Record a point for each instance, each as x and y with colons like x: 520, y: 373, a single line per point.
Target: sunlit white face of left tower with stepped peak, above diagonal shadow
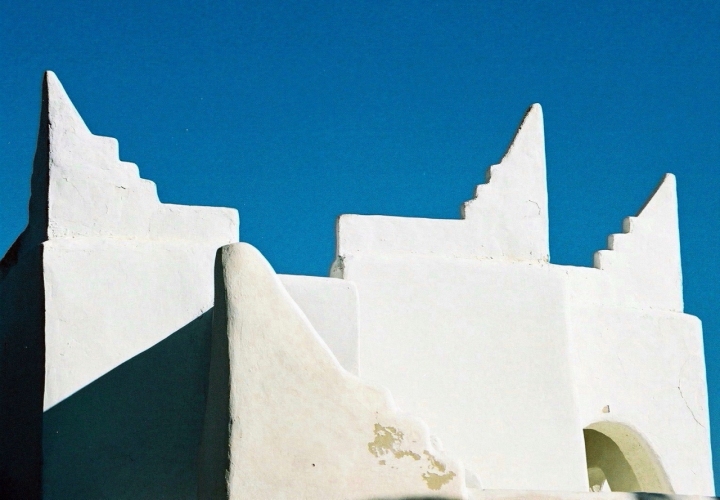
x: 122, y: 271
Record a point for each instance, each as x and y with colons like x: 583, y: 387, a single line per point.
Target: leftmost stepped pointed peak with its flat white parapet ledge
x: 80, y: 187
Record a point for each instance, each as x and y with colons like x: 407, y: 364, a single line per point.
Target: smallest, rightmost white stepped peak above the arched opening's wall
x: 646, y: 256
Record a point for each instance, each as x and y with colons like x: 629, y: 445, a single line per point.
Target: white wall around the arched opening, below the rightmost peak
x: 647, y: 367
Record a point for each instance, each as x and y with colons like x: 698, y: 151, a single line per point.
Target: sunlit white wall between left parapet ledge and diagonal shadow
x: 109, y: 300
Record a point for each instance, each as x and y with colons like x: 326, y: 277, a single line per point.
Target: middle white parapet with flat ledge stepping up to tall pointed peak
x: 508, y: 218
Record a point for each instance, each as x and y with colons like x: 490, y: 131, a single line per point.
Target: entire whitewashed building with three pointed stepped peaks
x: 145, y: 353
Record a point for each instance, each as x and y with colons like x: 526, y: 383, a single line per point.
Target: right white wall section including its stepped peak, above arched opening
x: 634, y: 352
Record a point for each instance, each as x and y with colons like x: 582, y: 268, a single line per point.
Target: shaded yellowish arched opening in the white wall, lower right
x: 619, y: 459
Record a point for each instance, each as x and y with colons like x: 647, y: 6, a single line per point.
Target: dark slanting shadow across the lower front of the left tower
x: 135, y: 432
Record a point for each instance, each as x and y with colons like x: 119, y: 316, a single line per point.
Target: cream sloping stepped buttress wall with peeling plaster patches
x: 298, y: 425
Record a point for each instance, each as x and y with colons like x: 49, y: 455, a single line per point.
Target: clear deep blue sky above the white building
x: 295, y: 112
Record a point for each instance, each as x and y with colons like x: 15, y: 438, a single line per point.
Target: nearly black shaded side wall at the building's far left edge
x: 22, y: 376
